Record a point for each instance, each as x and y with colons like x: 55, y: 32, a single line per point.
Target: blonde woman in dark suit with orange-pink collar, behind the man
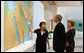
x: 70, y: 43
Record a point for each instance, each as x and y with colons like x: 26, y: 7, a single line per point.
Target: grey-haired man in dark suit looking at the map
x: 59, y: 37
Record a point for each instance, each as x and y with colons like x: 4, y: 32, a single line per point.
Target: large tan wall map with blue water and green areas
x: 16, y: 14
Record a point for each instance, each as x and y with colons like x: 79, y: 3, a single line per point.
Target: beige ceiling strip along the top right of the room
x: 63, y: 3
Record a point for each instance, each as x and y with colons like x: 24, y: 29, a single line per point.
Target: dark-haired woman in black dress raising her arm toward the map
x: 42, y: 37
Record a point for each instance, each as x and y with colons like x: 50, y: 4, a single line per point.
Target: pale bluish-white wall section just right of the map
x: 38, y: 16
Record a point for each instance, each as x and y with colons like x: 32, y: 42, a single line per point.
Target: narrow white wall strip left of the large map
x: 2, y: 25
